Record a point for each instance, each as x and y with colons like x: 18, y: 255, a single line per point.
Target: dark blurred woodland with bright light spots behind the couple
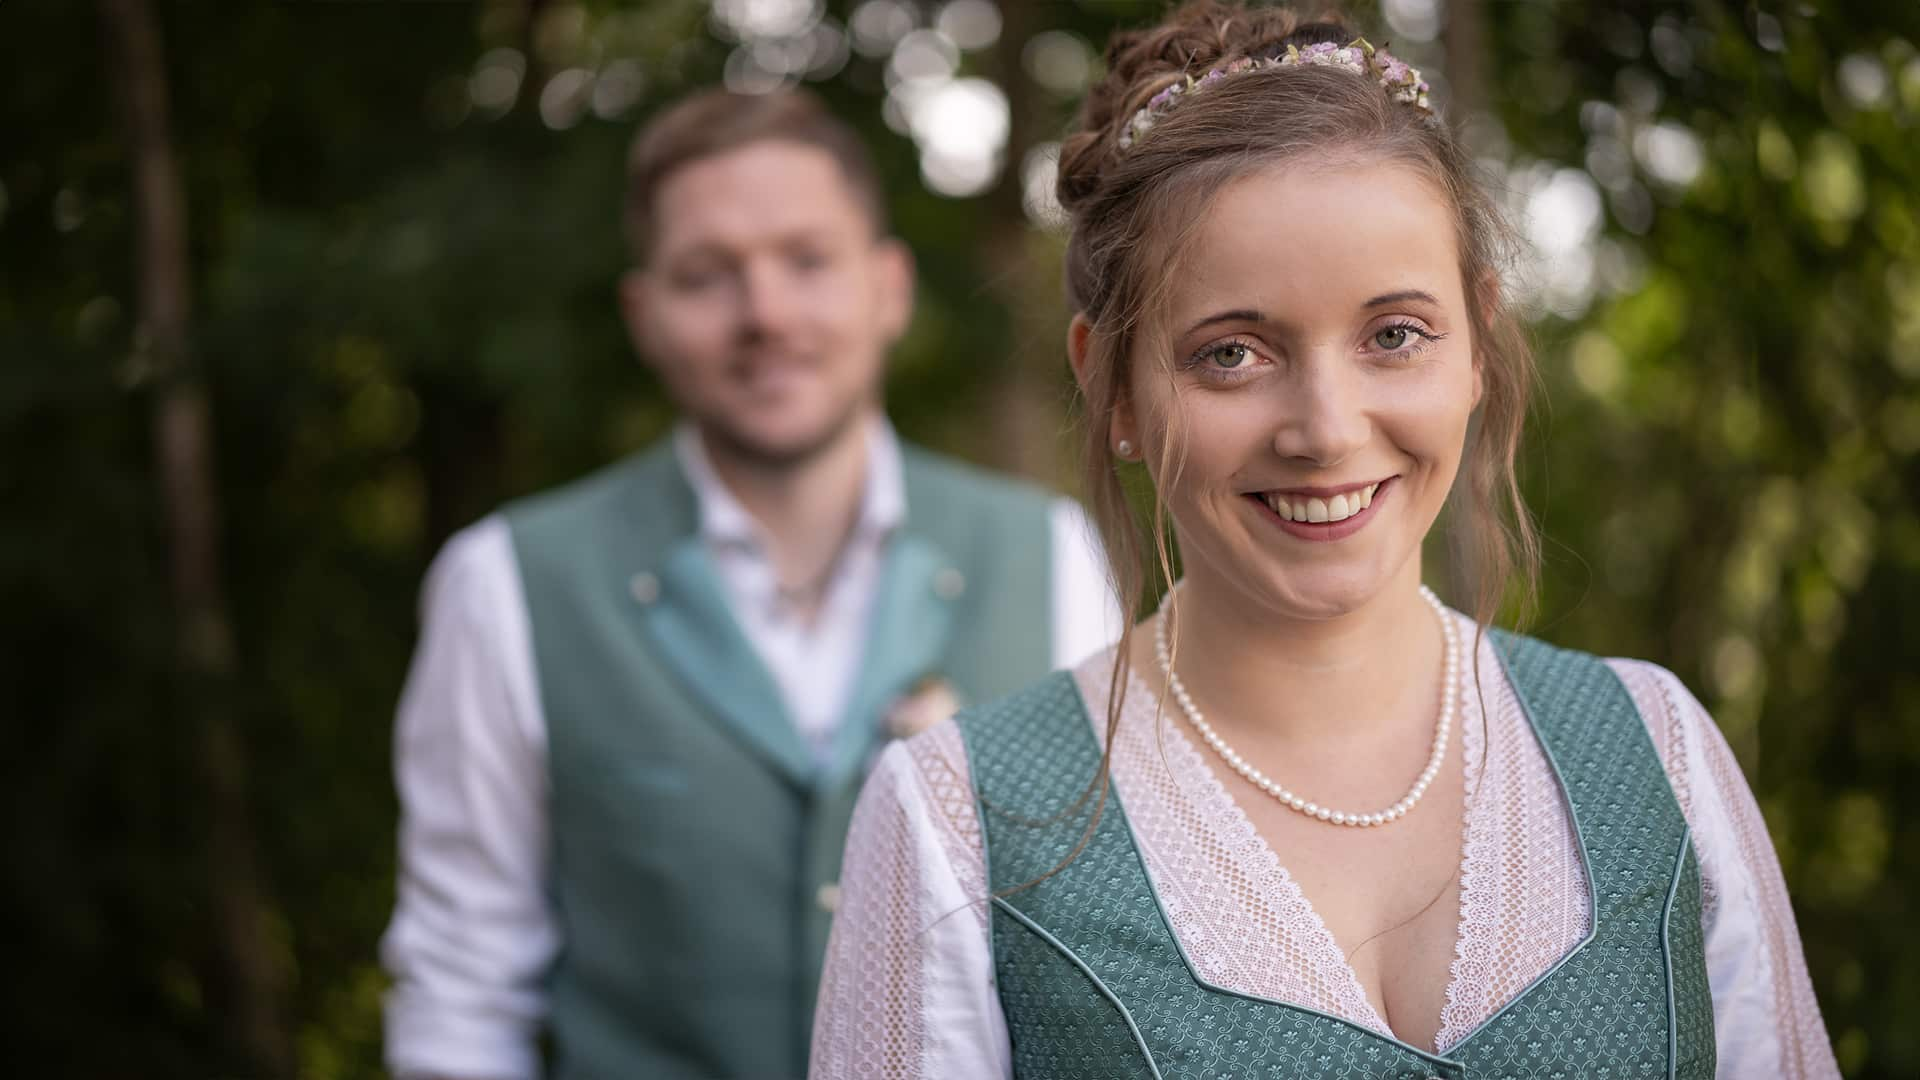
x: 391, y: 308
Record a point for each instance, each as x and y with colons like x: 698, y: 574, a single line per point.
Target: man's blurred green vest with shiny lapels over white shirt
x: 696, y: 839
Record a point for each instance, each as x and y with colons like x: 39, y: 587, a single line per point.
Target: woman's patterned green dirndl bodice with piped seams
x: 1095, y: 983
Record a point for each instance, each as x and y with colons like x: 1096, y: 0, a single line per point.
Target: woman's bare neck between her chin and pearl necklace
x: 1326, y: 683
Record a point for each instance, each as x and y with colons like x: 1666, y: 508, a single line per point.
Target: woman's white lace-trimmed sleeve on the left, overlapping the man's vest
x: 909, y: 975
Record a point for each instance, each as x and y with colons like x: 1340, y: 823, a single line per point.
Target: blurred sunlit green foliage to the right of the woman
x: 1729, y: 472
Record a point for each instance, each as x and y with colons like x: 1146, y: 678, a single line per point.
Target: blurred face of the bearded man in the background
x: 767, y: 303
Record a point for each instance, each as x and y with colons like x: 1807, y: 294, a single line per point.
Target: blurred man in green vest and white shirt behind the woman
x: 642, y: 704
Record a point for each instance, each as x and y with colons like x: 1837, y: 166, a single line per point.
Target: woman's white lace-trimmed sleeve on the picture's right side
x: 1767, y: 1021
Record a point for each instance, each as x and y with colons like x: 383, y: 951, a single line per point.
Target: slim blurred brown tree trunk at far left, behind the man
x: 247, y: 970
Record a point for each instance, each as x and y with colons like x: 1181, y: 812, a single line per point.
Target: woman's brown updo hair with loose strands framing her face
x: 1136, y: 209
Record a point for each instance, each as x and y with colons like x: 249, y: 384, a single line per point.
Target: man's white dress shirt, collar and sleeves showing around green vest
x: 473, y: 933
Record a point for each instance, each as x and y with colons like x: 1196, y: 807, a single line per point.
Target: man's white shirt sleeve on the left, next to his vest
x: 473, y: 935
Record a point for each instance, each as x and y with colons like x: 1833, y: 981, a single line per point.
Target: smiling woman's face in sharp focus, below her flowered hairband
x: 1322, y: 376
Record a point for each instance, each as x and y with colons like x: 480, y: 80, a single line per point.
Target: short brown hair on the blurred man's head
x: 717, y: 122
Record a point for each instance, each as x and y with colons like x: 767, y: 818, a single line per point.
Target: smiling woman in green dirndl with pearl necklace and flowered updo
x: 1307, y: 822
